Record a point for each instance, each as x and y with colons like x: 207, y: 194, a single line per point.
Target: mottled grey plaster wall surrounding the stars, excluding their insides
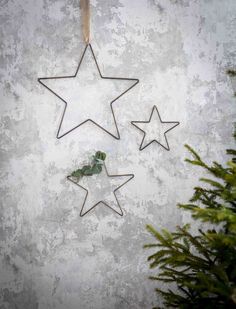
x: 179, y: 49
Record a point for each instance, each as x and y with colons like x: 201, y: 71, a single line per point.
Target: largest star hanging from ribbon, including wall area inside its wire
x: 86, y: 94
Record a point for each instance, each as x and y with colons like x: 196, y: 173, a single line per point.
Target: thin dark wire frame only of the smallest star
x: 176, y: 123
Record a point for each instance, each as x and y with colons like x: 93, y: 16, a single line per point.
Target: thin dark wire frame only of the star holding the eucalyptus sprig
x: 70, y: 178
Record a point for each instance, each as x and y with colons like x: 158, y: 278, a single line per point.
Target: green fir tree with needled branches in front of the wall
x: 203, y: 265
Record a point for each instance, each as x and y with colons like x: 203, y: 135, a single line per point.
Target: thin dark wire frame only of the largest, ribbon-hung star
x: 136, y: 81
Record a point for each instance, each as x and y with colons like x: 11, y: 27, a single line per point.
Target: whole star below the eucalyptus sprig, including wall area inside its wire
x: 101, y: 189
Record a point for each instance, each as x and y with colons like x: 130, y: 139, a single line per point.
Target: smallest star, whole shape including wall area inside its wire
x: 154, y: 130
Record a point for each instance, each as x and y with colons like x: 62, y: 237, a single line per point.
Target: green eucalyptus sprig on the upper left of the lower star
x: 94, y: 168
